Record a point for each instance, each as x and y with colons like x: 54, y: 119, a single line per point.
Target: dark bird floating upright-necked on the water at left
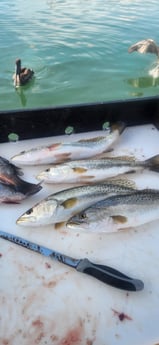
x: 22, y: 75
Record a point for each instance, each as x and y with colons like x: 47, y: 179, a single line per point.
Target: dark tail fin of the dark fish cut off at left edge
x: 28, y: 188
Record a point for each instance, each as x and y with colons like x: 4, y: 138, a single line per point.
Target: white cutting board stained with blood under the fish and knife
x: 44, y: 302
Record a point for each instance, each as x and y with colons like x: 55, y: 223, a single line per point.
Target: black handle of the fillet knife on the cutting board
x: 109, y: 276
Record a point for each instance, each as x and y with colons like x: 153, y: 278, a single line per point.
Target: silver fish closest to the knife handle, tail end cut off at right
x: 118, y: 212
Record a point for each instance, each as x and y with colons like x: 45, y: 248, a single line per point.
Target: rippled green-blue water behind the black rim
x: 78, y: 50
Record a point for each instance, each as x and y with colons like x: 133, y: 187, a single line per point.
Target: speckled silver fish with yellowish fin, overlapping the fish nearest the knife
x: 60, y: 206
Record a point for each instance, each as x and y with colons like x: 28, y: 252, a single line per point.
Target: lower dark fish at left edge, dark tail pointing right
x: 10, y: 193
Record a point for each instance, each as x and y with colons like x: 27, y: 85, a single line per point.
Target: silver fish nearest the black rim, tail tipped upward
x: 65, y: 151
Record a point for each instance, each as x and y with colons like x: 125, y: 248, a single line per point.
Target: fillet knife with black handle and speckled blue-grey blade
x: 103, y: 273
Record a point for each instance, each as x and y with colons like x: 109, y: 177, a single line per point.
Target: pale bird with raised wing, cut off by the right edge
x: 147, y: 46
